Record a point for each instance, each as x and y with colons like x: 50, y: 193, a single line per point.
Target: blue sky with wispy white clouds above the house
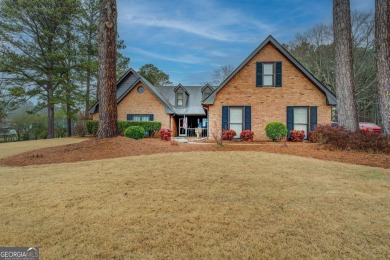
x: 189, y: 39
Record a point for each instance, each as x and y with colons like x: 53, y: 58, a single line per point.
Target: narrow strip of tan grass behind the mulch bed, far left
x: 12, y: 148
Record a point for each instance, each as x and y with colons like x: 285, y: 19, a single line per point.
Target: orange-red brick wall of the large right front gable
x: 269, y: 104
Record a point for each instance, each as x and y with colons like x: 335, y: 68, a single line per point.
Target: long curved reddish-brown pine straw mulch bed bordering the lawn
x: 93, y: 149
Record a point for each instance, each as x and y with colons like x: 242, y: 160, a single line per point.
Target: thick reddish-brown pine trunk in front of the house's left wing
x: 107, y: 70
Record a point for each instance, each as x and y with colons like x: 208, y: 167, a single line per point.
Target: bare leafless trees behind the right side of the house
x: 314, y: 49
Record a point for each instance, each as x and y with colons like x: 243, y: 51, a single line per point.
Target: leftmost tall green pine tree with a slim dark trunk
x: 33, y: 36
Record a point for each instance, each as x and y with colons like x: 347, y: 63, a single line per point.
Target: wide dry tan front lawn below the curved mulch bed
x: 198, y: 205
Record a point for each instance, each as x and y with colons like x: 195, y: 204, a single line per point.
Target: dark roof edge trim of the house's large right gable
x: 330, y: 97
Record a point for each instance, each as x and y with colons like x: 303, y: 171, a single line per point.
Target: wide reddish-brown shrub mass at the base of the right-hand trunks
x: 342, y: 139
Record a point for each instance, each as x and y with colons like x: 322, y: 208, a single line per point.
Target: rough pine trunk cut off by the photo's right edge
x: 382, y: 44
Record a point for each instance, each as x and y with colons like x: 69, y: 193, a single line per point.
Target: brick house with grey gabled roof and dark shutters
x: 270, y: 85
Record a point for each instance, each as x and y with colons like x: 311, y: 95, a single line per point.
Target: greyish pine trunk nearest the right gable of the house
x: 345, y: 91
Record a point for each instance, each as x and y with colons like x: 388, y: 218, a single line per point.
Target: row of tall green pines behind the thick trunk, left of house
x: 49, y: 52
